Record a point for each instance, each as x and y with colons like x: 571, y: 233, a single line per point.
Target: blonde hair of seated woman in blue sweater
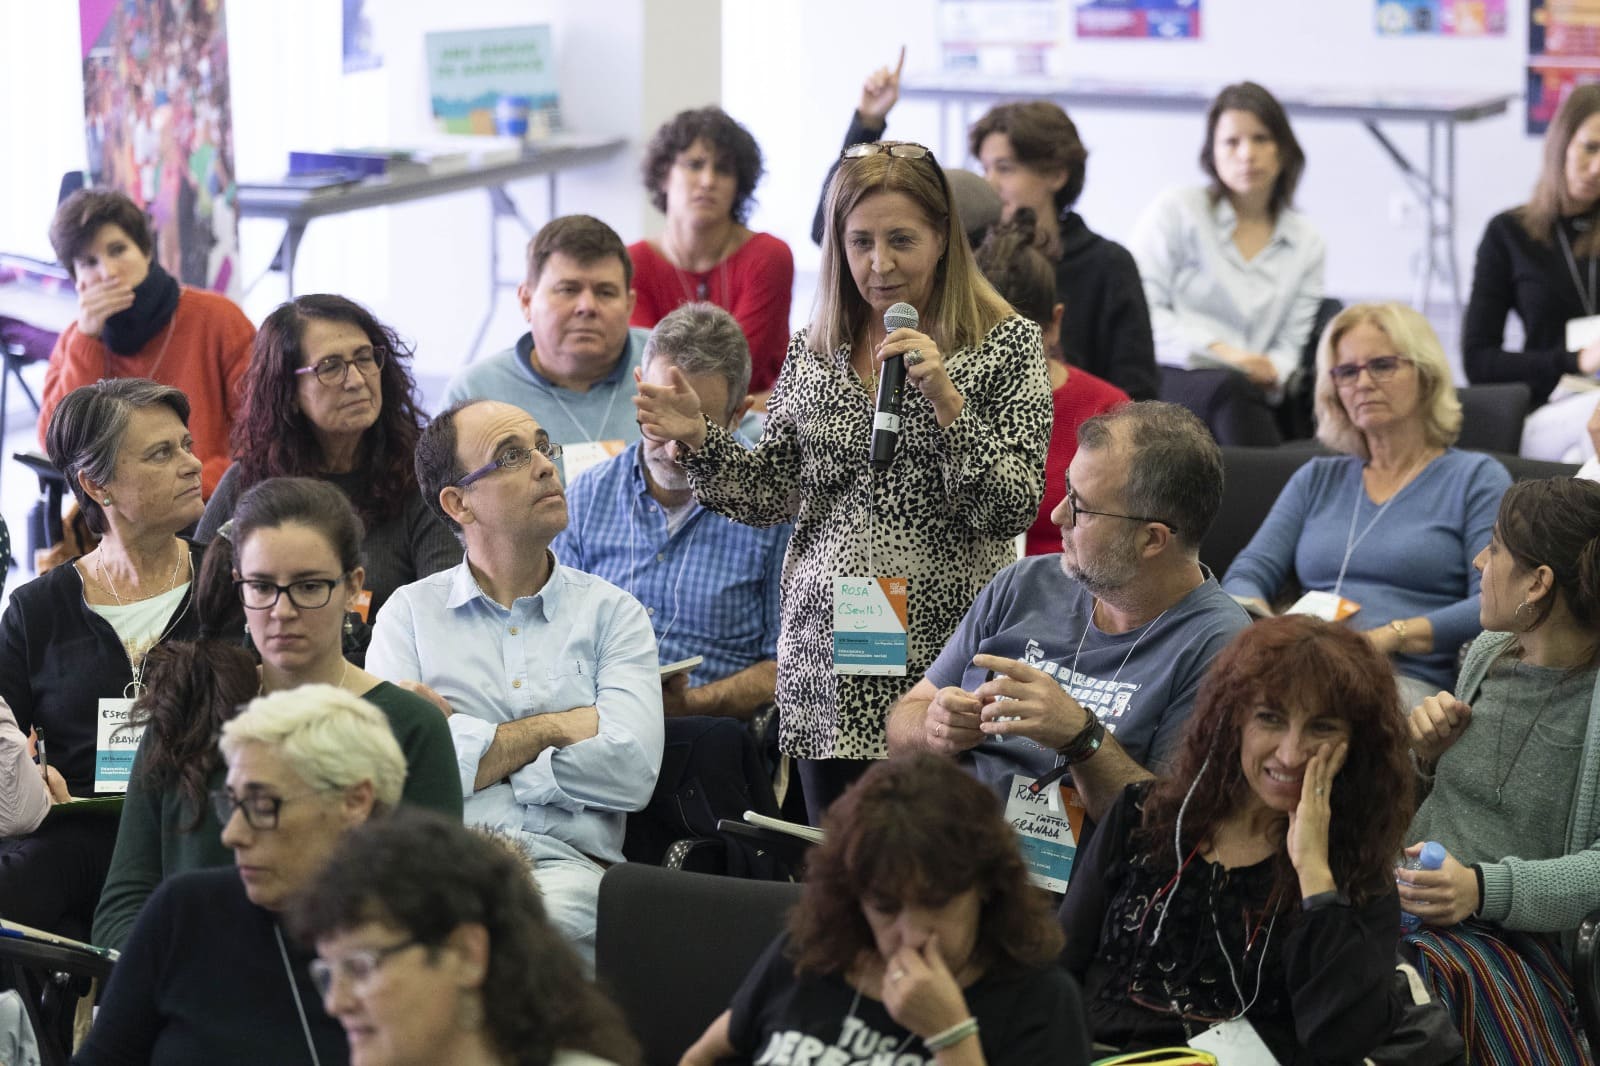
x: 1417, y: 343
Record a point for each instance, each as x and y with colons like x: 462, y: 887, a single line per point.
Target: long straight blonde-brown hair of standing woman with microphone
x: 964, y: 307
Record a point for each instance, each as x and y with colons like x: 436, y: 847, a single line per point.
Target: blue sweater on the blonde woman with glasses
x: 1414, y: 561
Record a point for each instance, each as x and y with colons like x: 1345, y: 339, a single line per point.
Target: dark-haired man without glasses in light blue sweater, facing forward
x: 575, y: 369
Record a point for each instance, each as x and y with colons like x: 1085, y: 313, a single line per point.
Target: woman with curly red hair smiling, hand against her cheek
x: 1257, y: 883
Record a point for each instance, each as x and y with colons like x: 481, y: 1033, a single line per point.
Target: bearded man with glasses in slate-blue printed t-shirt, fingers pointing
x: 1090, y: 660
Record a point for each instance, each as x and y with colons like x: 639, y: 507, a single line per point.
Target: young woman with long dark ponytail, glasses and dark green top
x: 290, y: 566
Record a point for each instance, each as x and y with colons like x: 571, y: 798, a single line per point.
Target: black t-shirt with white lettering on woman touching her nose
x: 780, y: 1019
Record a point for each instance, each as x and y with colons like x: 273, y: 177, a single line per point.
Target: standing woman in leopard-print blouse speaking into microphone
x: 882, y: 566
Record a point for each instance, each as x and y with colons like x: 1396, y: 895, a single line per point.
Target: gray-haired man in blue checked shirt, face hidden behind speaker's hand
x: 708, y: 583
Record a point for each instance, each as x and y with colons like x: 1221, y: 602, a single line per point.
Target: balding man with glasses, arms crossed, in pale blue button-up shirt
x: 550, y: 675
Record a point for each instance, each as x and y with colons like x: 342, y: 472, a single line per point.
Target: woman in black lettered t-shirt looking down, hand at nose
x: 919, y: 939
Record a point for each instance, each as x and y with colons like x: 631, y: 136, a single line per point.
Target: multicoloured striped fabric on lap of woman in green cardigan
x: 1510, y: 993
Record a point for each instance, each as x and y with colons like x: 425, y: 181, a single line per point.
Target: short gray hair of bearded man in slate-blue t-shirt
x: 1175, y: 468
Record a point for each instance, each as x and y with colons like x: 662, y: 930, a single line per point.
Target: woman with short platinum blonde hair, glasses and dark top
x: 209, y: 974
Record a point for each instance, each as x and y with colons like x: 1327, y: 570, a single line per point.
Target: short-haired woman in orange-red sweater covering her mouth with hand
x: 135, y: 321
